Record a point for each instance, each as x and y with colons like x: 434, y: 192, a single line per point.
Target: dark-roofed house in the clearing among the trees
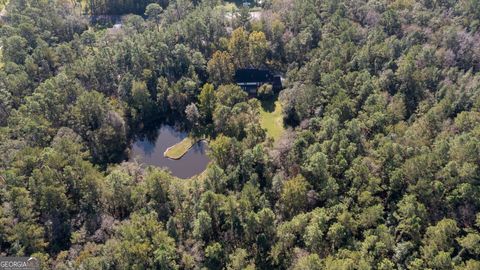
x: 250, y: 79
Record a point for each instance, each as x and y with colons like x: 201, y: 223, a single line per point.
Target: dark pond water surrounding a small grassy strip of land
x: 150, y: 151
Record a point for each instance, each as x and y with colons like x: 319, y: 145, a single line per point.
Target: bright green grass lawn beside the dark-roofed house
x: 271, y: 119
